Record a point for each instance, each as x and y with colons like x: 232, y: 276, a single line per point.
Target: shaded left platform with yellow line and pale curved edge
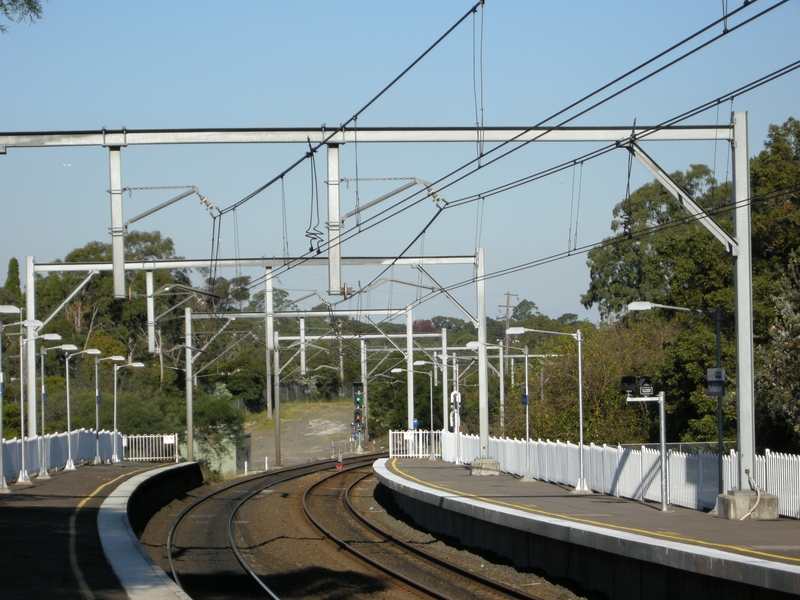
x: 69, y: 537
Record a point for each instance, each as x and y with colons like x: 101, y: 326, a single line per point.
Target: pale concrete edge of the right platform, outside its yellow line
x: 703, y: 561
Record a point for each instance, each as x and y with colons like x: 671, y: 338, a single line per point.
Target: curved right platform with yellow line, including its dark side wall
x: 624, y: 542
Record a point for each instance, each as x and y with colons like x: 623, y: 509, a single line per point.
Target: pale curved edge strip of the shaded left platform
x: 141, y: 577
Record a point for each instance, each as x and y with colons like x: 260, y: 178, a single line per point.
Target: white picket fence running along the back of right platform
x: 692, y: 479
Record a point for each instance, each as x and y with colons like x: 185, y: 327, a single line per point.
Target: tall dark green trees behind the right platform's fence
x: 660, y: 255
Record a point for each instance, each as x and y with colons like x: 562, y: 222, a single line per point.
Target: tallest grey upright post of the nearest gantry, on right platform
x: 743, y: 289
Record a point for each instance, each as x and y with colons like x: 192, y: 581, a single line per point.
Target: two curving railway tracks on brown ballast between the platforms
x: 281, y: 535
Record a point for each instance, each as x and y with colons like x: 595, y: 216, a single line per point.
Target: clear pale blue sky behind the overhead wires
x: 142, y: 64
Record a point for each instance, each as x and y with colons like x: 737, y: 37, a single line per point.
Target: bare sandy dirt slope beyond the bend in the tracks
x: 318, y: 432
